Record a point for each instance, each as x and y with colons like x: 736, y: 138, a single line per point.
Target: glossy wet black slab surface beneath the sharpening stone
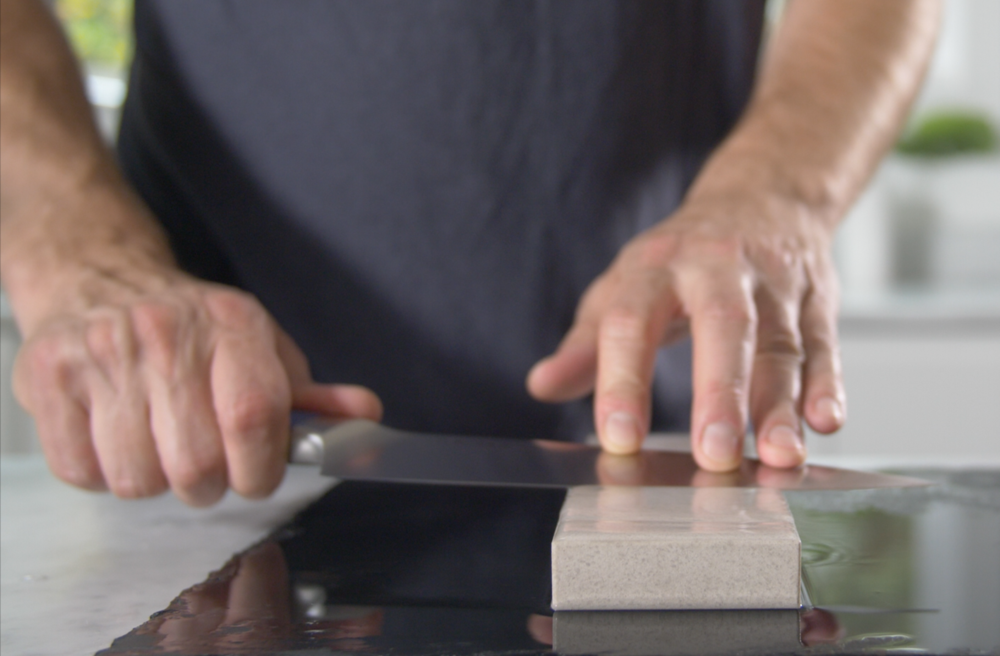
x: 413, y: 569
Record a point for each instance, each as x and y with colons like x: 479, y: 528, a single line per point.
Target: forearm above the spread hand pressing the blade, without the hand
x: 834, y: 90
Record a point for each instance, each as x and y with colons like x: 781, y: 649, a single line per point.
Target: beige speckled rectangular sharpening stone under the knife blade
x: 662, y: 548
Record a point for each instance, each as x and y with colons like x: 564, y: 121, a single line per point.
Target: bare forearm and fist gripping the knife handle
x: 140, y: 377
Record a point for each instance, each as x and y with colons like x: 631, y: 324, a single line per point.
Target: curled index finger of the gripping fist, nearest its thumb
x: 252, y: 400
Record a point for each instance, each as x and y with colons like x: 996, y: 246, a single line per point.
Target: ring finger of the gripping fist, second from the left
x: 119, y: 414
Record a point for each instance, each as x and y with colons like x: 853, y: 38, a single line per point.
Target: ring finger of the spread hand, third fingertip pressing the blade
x: 776, y: 385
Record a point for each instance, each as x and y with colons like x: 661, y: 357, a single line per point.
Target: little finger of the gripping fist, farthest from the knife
x: 43, y: 382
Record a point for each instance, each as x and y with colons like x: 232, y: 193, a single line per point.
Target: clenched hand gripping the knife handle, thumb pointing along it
x: 162, y: 380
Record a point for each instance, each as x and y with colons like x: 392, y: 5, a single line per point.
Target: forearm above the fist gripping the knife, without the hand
x: 64, y: 206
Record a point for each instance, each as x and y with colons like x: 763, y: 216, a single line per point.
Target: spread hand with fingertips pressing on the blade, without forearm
x: 754, y: 283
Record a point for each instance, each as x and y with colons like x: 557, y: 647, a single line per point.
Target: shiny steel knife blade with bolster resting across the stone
x: 364, y: 450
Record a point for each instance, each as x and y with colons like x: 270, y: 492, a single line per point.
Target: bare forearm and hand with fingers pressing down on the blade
x: 745, y: 262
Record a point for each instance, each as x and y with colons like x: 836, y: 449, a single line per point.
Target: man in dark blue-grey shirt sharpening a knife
x: 419, y: 193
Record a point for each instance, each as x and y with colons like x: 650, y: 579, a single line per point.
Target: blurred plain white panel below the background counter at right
x: 921, y: 394
